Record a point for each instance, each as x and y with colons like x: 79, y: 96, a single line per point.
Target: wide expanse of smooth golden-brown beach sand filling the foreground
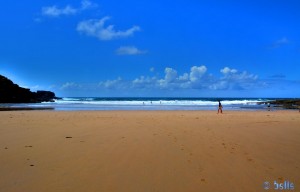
x: 140, y: 151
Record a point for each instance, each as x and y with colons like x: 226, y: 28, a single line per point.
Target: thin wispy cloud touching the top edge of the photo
x: 54, y: 11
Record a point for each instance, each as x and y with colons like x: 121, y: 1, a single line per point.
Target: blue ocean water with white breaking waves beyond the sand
x: 96, y: 103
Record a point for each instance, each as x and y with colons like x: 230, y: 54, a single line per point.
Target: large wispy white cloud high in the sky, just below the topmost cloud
x: 97, y: 29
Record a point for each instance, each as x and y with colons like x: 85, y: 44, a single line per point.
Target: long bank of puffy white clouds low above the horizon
x: 196, y: 78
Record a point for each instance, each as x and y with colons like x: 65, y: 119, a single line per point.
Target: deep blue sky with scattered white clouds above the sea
x: 195, y: 48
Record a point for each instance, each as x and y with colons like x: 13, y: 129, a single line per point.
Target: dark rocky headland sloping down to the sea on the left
x: 13, y: 93
